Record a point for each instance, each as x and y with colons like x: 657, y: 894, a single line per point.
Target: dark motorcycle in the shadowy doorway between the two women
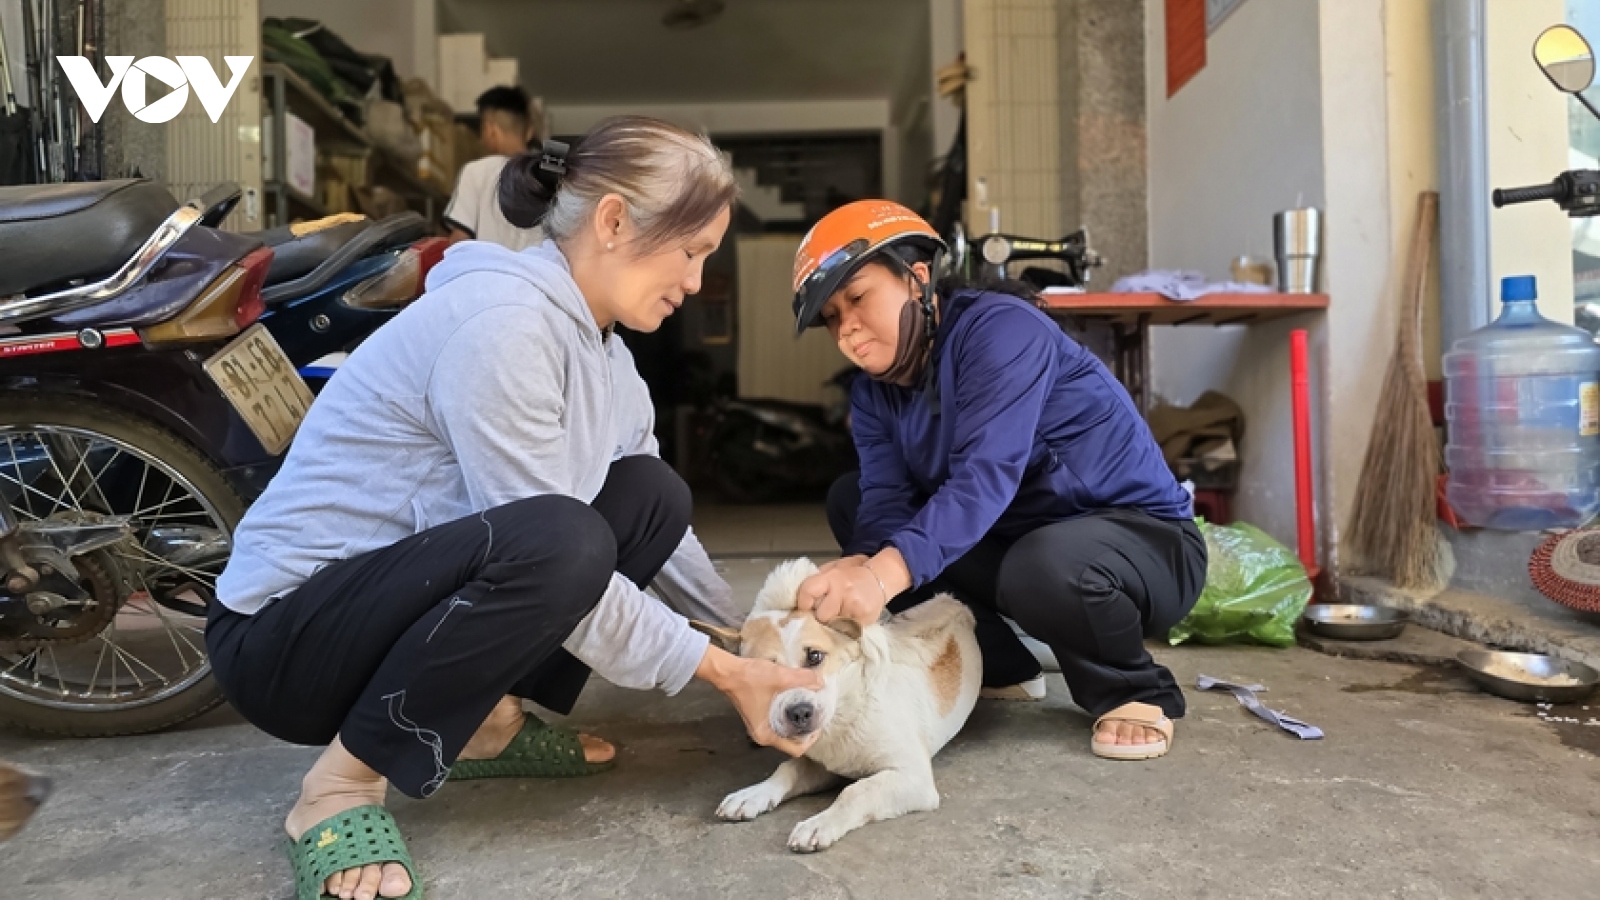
x: 769, y: 451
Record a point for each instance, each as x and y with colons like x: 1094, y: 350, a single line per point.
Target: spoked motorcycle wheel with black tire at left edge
x: 143, y: 665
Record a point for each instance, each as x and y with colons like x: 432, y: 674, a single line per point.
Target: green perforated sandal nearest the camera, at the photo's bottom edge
x: 354, y: 838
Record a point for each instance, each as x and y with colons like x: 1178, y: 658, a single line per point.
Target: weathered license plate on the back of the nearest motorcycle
x: 262, y: 384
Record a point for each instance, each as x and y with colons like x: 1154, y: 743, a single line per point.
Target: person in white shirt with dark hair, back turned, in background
x: 474, y: 211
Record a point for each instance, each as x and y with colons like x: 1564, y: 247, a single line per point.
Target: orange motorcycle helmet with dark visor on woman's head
x: 842, y: 241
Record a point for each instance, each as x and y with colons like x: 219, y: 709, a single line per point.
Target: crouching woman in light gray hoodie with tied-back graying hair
x: 473, y: 508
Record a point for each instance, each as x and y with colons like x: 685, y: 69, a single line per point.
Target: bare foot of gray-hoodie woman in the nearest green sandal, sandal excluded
x: 337, y: 784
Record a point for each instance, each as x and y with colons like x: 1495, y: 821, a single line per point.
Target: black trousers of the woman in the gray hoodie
x: 404, y: 651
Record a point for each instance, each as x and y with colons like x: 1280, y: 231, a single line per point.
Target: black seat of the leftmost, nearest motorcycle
x: 60, y: 233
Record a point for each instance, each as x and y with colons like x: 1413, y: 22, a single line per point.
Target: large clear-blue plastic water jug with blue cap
x: 1524, y: 412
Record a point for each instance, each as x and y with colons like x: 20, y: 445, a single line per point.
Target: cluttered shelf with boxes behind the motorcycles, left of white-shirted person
x: 318, y: 163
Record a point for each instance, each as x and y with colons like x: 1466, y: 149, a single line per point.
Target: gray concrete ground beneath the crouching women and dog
x: 1423, y: 789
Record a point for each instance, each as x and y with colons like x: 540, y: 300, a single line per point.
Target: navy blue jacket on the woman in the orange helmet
x: 1025, y: 428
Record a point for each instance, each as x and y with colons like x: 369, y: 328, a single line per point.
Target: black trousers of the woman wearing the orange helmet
x: 1092, y: 589
